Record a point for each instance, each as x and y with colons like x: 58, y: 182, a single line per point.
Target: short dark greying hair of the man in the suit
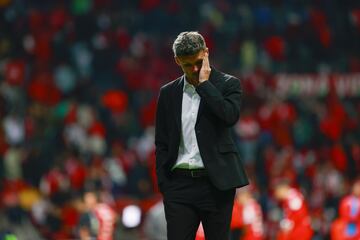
x: 188, y: 43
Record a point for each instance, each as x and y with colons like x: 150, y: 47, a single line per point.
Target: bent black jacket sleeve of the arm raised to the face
x: 225, y: 105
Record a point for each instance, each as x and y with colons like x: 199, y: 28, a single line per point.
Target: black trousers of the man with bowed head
x: 189, y: 201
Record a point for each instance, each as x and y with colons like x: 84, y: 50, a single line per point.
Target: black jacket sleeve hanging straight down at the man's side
x: 161, y: 136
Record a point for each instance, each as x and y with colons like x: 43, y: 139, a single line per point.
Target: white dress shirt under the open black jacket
x: 189, y: 154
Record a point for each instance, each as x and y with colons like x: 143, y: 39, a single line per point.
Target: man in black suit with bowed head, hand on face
x: 197, y: 164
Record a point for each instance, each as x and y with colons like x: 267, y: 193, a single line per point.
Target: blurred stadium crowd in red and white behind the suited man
x: 79, y: 81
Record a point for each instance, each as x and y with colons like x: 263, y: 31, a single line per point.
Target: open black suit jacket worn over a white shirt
x: 219, y: 110
